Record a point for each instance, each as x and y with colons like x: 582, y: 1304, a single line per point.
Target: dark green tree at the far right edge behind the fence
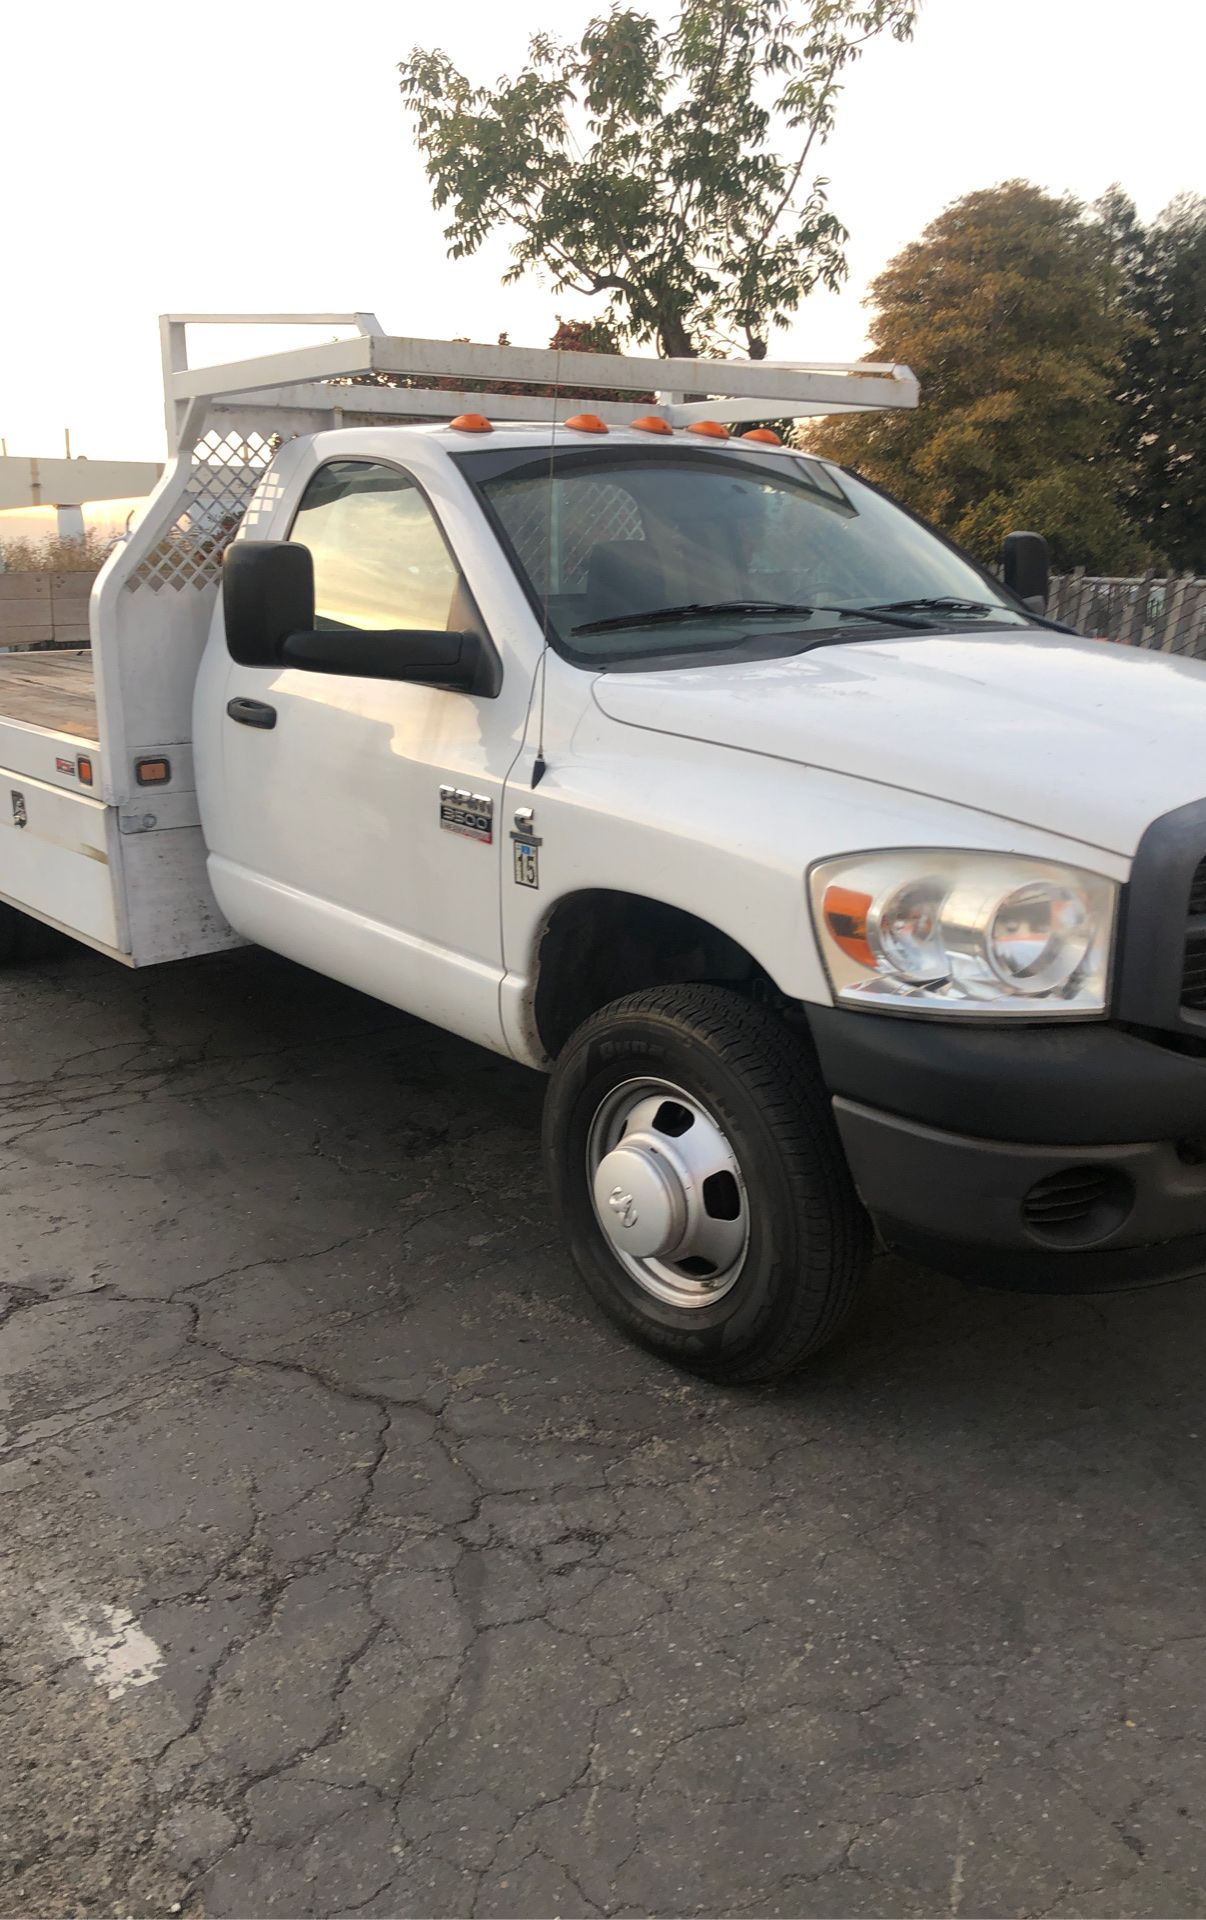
x: 1163, y: 389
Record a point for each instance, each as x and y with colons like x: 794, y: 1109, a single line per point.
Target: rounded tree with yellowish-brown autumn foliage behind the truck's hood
x: 1011, y: 314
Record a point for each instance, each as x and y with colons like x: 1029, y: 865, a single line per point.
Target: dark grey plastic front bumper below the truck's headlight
x: 1057, y: 1161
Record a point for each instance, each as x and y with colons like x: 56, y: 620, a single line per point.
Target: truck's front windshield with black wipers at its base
x: 725, y: 550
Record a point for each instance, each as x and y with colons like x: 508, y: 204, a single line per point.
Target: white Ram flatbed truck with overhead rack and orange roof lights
x: 834, y: 888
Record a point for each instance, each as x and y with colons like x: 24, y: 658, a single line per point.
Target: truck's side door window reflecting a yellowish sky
x: 379, y: 556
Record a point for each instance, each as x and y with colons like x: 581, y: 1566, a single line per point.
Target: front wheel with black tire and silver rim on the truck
x: 694, y: 1159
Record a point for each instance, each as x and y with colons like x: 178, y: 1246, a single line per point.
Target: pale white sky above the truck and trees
x: 256, y: 158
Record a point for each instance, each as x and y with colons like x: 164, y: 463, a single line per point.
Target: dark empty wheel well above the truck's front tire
x: 600, y: 946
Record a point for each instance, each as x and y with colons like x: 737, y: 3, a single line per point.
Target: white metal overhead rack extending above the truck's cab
x: 297, y: 385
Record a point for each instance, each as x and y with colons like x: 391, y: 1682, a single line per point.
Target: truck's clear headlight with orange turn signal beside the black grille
x: 971, y: 934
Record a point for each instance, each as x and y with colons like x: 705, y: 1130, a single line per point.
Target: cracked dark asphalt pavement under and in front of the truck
x: 350, y: 1564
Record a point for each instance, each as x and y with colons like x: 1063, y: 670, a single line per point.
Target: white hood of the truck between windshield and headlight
x: 1076, y: 736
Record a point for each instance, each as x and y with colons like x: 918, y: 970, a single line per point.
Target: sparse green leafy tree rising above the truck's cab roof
x: 669, y: 172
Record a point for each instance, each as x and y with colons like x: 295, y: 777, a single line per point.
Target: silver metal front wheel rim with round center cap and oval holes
x: 667, y: 1193
